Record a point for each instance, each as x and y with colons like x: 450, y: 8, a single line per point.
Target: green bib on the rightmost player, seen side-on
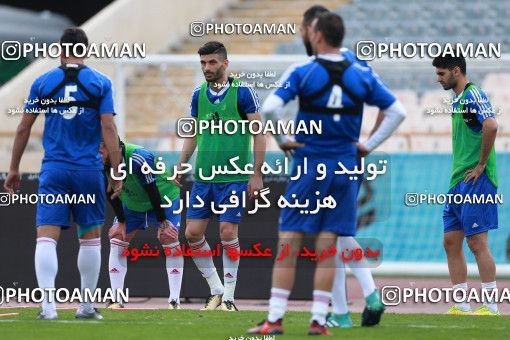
x: 466, y: 147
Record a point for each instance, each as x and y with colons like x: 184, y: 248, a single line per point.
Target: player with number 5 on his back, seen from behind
x: 79, y: 109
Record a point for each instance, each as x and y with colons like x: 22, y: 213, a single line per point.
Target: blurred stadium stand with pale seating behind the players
x: 157, y: 95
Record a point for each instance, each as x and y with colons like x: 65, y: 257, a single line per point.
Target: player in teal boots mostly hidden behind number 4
x: 340, y: 316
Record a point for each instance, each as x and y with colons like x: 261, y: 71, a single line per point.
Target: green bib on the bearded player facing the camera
x: 216, y: 149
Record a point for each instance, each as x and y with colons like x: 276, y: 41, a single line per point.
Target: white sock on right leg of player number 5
x: 89, y: 264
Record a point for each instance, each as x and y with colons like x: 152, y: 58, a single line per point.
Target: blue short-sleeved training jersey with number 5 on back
x: 72, y: 135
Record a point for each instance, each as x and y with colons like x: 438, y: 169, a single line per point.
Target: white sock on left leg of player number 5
x: 46, y: 267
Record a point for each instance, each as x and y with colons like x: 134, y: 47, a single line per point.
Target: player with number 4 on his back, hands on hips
x: 331, y: 89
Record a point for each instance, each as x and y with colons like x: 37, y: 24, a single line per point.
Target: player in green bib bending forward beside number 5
x: 137, y: 207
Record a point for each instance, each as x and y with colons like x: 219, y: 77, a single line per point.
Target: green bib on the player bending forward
x: 133, y: 194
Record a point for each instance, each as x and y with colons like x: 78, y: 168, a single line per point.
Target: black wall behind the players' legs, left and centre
x: 146, y: 276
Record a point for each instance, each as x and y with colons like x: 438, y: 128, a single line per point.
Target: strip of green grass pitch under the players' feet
x: 187, y: 324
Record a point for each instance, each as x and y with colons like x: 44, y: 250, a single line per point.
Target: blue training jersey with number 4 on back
x: 339, y: 131
